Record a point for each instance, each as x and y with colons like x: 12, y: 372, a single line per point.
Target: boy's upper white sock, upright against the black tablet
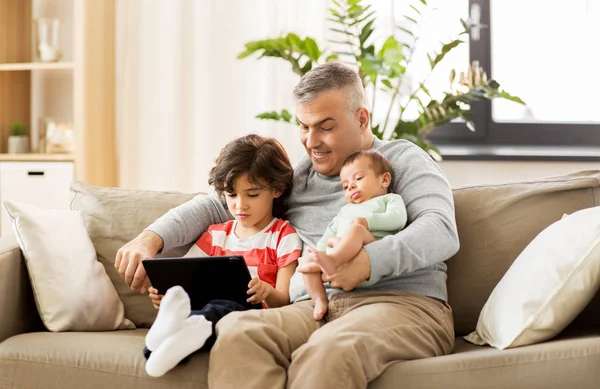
x: 174, y: 309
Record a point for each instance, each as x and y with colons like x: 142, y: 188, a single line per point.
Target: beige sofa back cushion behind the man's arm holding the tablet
x: 114, y: 216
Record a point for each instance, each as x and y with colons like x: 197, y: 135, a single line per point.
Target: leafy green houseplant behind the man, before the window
x: 384, y: 69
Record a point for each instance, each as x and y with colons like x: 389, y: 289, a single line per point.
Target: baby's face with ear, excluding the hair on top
x: 361, y: 183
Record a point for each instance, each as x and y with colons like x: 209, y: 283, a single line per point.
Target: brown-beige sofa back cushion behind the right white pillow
x: 496, y: 222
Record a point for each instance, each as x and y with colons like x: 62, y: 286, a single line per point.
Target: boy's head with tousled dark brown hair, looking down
x: 254, y: 174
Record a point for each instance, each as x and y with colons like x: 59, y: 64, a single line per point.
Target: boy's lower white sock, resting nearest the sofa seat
x: 191, y: 337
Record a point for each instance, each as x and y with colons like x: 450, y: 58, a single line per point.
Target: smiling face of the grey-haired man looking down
x: 330, y: 131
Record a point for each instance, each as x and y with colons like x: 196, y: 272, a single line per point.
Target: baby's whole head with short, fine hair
x: 365, y: 174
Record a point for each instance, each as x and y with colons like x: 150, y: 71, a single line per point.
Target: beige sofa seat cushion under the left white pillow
x: 96, y: 360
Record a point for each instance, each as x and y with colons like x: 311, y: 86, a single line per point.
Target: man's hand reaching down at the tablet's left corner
x: 129, y: 259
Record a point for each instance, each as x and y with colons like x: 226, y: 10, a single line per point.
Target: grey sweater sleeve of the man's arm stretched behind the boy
x: 185, y: 223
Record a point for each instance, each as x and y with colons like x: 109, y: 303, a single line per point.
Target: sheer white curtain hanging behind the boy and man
x: 181, y: 94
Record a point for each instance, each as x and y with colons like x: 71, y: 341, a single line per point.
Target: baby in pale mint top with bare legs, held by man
x: 371, y: 213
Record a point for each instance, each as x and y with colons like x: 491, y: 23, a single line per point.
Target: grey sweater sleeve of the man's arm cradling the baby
x: 431, y: 236
